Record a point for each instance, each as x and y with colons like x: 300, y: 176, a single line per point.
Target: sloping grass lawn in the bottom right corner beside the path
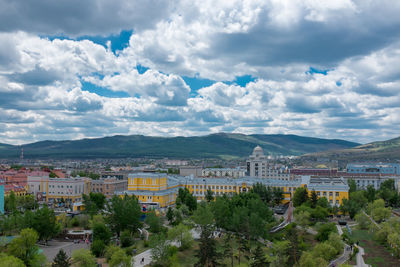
x: 375, y: 253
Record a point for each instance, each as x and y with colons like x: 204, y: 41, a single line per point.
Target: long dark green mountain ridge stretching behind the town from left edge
x: 221, y: 145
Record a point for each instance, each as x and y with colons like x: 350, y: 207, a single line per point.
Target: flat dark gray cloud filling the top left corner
x: 75, y: 17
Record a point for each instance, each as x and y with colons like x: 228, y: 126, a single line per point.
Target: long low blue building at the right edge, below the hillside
x: 374, y: 168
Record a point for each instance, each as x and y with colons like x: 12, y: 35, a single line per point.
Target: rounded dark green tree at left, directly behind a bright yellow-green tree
x: 45, y: 223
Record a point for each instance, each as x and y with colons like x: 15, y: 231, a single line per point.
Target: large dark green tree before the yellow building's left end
x: 124, y: 213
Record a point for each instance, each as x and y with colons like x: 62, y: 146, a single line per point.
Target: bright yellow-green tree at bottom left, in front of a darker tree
x: 24, y: 247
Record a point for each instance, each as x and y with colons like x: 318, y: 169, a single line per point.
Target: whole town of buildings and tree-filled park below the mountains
x: 259, y: 211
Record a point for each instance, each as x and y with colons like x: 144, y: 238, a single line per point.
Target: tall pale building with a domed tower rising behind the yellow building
x: 258, y: 166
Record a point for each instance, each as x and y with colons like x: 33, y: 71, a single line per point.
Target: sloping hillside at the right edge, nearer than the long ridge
x: 388, y: 150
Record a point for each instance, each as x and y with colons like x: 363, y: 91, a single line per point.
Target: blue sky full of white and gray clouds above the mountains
x: 73, y: 69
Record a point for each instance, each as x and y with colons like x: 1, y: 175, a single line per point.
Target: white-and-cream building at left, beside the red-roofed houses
x: 53, y: 190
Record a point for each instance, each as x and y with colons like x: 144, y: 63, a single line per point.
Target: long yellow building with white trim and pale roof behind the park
x: 160, y: 191
